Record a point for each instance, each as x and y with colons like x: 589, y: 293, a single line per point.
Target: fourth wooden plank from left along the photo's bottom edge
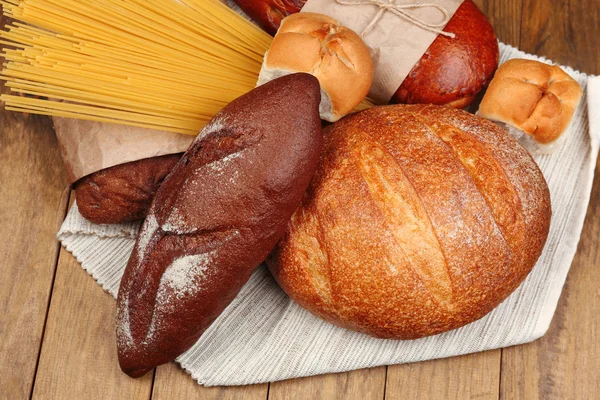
x: 364, y: 384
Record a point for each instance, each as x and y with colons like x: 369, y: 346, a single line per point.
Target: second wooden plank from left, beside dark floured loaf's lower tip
x: 79, y: 356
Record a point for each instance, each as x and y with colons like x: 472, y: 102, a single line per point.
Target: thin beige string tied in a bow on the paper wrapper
x: 400, y: 11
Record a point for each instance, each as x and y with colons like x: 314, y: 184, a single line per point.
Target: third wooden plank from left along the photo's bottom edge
x: 172, y: 382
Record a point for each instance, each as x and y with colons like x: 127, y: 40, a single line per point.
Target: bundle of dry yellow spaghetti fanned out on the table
x: 161, y: 64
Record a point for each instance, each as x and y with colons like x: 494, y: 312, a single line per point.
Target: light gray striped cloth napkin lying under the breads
x: 263, y: 336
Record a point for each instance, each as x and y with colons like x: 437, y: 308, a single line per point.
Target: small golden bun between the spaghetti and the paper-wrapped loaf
x: 335, y: 55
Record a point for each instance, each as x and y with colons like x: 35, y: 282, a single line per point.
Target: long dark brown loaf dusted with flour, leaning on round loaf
x: 215, y: 218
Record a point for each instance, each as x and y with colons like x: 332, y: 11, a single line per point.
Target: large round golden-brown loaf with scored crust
x: 420, y: 219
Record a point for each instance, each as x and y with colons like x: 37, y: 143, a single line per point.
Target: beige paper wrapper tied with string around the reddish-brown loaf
x: 398, y: 33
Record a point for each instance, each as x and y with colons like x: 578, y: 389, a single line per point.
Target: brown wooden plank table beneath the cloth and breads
x: 57, y: 337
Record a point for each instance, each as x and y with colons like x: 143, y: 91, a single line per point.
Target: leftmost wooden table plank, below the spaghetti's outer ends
x: 33, y: 201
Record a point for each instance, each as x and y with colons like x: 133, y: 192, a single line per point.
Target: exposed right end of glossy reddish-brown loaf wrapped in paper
x: 453, y: 71
